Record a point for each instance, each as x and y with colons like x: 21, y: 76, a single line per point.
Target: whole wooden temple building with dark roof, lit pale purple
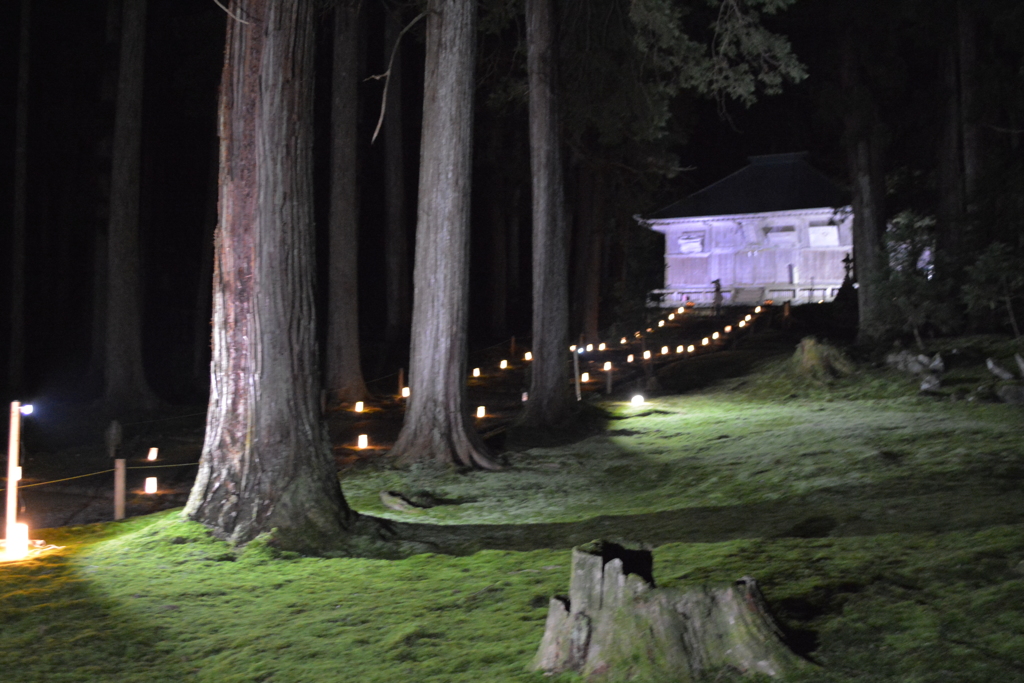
x: 776, y: 230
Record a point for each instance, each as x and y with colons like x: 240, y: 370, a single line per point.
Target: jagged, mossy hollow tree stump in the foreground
x: 616, y: 625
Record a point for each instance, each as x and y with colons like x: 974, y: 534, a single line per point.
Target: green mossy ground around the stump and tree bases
x: 885, y: 529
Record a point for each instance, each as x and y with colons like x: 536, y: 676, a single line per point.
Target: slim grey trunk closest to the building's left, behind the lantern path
x: 550, y: 400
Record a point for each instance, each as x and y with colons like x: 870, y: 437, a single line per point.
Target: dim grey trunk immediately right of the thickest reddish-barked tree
x: 345, y: 375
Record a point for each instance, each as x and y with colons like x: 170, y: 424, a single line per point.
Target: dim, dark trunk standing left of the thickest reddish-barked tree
x: 125, y: 385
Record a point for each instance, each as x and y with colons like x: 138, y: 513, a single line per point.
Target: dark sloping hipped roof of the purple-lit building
x: 772, y: 183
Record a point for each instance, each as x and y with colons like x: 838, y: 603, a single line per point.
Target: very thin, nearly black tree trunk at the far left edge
x: 16, y: 353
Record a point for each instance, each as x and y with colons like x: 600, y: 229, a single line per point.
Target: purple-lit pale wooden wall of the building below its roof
x: 794, y: 255
